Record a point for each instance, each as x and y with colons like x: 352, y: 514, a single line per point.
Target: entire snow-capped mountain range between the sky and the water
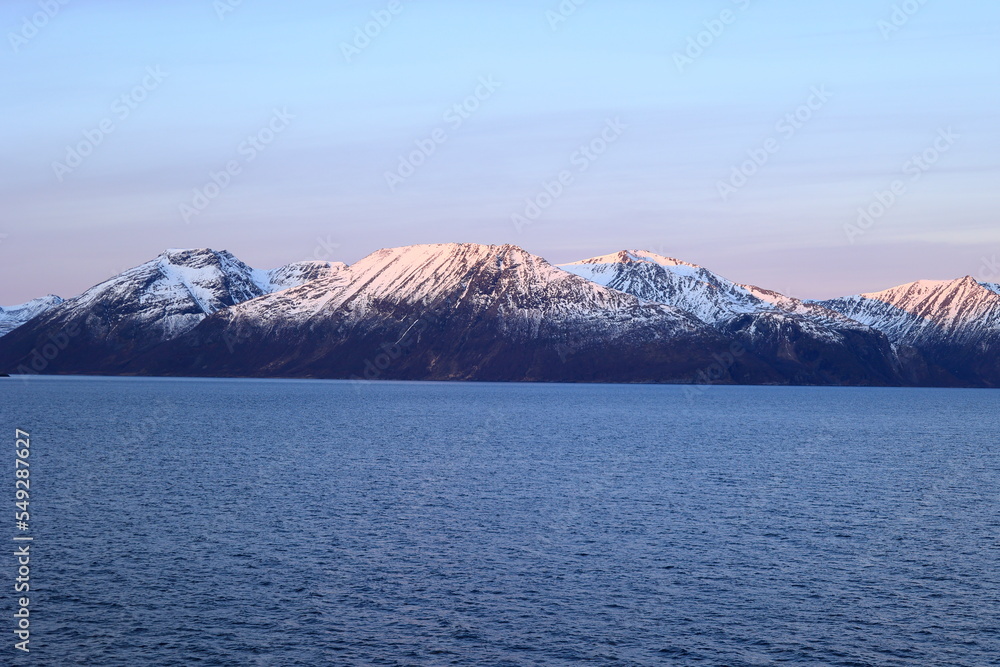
x: 464, y: 311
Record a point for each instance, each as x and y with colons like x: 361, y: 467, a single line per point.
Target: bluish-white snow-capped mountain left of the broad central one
x: 147, y: 305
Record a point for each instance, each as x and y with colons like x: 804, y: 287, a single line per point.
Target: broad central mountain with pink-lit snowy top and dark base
x: 450, y: 311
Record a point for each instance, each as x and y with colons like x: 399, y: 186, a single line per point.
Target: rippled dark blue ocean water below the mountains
x: 247, y: 522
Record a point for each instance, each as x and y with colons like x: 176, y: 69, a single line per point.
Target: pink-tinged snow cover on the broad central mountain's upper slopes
x: 503, y: 278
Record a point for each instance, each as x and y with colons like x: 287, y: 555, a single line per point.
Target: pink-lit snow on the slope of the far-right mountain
x: 959, y: 311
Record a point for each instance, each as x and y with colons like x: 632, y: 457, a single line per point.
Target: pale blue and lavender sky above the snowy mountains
x: 817, y: 149
